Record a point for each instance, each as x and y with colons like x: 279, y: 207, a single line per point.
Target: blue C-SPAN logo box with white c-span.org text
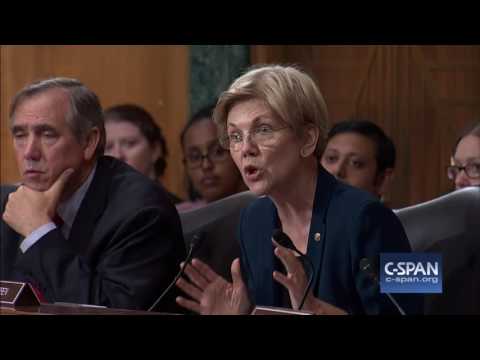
x: 410, y: 273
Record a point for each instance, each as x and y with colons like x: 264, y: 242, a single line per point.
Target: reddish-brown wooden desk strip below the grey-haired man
x: 57, y: 309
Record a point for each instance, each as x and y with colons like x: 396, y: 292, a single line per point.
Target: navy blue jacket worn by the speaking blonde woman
x: 352, y: 225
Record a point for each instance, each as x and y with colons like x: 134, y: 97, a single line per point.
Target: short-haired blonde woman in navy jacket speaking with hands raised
x: 272, y: 119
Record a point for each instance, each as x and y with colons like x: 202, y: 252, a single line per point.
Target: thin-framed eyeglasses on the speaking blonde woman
x: 261, y: 135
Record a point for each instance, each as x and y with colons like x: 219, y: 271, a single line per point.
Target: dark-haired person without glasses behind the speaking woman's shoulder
x: 359, y: 153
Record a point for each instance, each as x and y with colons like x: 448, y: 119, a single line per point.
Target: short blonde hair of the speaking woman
x: 288, y: 91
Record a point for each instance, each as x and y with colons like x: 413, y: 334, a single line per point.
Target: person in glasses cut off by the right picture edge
x: 464, y: 169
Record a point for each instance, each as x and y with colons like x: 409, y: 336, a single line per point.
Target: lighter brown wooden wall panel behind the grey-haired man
x: 155, y: 77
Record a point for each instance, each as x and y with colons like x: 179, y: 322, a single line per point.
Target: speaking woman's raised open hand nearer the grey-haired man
x: 212, y: 294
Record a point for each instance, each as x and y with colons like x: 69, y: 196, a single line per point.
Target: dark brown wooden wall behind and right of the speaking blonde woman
x: 420, y: 95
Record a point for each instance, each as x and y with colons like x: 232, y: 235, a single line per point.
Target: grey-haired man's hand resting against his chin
x: 27, y: 209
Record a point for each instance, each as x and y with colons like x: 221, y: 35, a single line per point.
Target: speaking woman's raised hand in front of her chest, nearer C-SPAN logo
x: 296, y: 281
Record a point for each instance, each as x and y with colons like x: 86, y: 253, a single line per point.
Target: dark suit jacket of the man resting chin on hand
x: 124, y: 248
